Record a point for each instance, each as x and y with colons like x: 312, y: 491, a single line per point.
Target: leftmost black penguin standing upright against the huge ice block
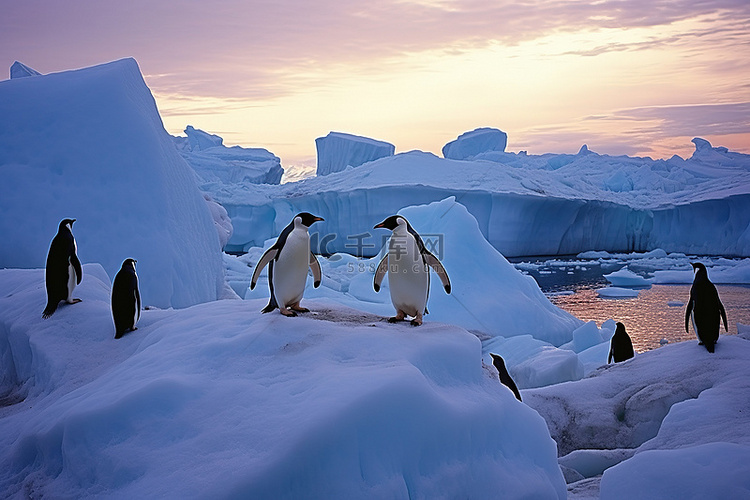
x: 63, y: 270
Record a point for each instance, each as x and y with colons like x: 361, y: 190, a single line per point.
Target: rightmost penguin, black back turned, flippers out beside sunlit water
x: 704, y: 308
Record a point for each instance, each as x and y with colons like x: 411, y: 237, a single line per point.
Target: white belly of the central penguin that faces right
x: 290, y: 271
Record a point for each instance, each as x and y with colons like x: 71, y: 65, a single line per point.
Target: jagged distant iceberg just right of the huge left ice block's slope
x: 220, y: 168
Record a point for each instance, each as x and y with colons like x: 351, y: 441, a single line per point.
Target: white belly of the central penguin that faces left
x: 407, y: 277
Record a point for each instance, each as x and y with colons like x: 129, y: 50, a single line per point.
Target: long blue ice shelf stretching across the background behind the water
x: 552, y: 204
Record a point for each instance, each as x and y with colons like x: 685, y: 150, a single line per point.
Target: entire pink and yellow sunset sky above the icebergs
x: 624, y: 77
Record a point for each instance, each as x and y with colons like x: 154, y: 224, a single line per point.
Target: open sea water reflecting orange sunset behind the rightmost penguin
x: 657, y: 313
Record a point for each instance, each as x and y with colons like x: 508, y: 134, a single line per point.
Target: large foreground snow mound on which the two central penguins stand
x: 221, y: 401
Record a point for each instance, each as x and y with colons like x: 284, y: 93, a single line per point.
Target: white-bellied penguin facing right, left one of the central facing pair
x: 288, y: 260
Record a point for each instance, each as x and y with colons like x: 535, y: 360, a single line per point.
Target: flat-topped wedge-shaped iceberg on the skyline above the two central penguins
x: 337, y: 151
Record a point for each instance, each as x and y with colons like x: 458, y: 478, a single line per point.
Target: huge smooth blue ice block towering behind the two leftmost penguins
x: 89, y: 144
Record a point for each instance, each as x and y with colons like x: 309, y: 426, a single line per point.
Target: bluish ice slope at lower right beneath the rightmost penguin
x: 676, y: 418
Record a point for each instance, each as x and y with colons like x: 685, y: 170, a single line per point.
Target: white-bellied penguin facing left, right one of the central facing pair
x: 407, y: 263
